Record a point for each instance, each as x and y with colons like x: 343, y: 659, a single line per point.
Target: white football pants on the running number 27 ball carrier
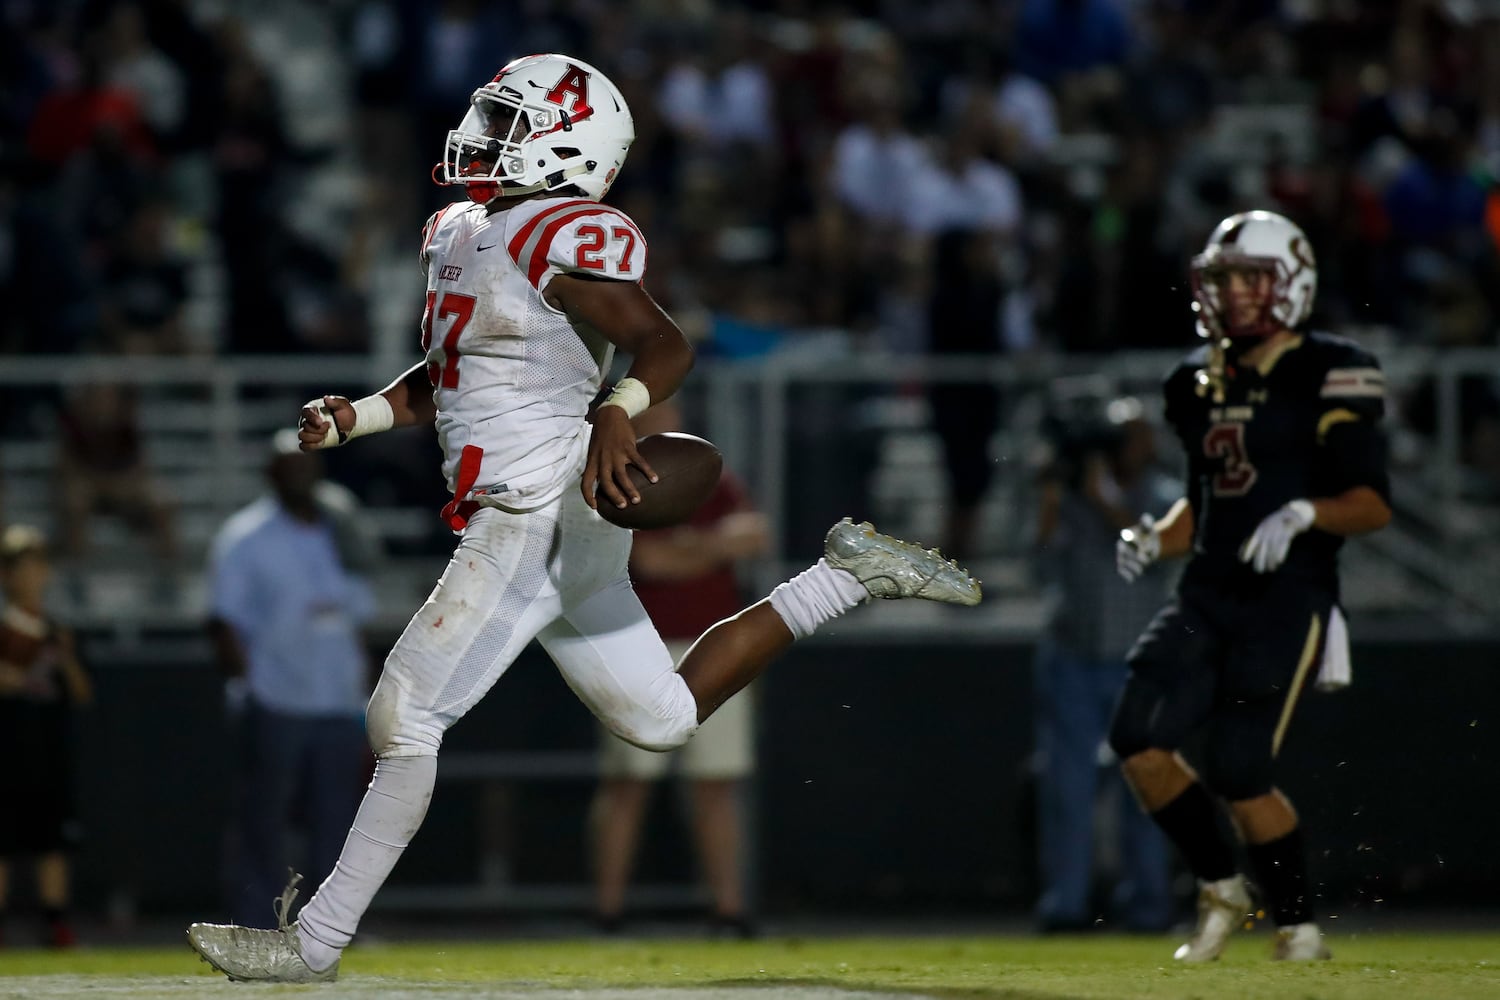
x: 556, y: 575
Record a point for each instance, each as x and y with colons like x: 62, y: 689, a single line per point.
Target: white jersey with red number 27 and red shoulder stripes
x: 512, y: 376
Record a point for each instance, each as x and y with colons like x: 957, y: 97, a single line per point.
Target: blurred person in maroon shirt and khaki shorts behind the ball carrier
x: 686, y: 581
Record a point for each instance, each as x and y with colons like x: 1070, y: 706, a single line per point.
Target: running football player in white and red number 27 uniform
x: 532, y: 286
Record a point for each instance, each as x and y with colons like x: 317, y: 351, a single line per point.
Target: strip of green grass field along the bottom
x: 1369, y: 968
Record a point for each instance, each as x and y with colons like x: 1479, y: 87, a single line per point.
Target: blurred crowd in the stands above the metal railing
x: 181, y: 178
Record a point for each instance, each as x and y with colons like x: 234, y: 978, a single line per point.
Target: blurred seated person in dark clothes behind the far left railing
x: 101, y: 470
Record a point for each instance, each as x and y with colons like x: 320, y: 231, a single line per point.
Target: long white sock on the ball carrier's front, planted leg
x: 394, y: 809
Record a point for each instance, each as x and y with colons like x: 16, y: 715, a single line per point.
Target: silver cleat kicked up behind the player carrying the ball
x: 892, y: 569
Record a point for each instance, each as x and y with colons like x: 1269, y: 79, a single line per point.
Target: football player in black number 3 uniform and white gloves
x: 1286, y: 460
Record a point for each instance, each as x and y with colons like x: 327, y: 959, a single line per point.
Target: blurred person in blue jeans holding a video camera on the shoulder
x: 1103, y: 473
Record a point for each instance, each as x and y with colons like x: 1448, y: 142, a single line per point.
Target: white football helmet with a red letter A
x: 545, y: 122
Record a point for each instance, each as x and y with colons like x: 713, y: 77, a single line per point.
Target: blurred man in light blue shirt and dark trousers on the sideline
x: 286, y: 620
